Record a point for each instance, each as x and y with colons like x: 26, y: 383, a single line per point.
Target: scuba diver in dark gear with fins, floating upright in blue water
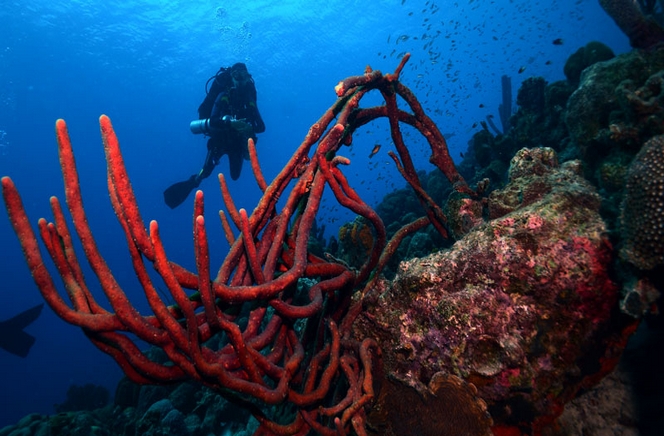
x: 229, y: 116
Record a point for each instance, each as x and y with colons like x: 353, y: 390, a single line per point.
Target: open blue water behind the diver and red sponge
x: 145, y: 65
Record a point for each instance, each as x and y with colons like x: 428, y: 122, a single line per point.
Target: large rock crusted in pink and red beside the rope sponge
x: 518, y: 307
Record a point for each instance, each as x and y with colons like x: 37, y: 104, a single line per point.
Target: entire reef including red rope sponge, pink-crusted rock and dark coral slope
x: 499, y: 330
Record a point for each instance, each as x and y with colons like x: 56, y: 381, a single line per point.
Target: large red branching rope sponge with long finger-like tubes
x: 283, y: 356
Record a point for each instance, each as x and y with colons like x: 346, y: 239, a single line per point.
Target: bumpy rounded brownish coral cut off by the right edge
x: 642, y: 209
